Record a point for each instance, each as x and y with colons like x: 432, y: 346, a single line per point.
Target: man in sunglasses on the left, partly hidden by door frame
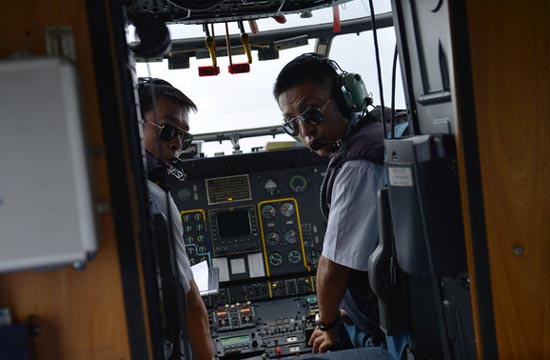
x: 165, y: 113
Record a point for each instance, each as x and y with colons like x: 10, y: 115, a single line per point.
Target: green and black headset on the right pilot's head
x: 350, y: 91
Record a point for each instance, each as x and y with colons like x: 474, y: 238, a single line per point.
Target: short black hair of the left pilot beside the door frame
x: 147, y: 87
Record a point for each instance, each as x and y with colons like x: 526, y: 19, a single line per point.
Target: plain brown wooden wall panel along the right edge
x: 510, y: 53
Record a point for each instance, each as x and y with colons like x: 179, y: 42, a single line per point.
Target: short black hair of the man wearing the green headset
x: 306, y: 67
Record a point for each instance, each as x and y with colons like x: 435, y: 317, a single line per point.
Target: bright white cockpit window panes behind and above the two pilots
x: 245, y: 101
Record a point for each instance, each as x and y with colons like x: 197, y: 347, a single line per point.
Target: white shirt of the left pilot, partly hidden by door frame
x: 158, y: 205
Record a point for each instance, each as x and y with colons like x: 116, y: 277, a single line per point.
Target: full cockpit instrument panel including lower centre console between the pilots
x: 256, y: 217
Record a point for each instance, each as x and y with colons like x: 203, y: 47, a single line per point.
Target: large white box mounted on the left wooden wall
x: 46, y: 209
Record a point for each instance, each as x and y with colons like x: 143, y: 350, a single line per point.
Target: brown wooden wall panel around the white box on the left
x: 80, y: 313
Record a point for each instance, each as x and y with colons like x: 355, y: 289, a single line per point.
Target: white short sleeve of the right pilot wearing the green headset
x: 352, y: 230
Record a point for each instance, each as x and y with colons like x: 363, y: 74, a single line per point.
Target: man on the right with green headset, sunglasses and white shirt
x: 317, y: 101
